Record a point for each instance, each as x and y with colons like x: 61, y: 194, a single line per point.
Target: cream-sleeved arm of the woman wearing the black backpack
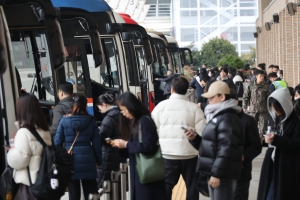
x: 19, y: 156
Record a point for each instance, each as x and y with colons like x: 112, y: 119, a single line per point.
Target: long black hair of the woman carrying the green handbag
x: 135, y: 107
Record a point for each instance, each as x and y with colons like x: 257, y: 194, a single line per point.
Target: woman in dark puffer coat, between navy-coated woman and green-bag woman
x: 109, y: 129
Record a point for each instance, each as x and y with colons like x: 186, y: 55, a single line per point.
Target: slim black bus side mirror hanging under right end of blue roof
x: 97, y: 47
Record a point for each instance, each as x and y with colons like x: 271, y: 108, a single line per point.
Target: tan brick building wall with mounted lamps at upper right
x: 278, y: 40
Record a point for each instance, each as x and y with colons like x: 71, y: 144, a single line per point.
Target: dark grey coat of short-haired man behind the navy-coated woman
x: 60, y: 110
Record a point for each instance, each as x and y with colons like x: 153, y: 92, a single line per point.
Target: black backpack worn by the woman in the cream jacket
x: 54, y: 173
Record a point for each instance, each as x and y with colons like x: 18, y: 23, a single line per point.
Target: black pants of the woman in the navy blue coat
x: 89, y: 187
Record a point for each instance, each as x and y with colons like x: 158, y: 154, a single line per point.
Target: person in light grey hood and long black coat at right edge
x: 282, y: 159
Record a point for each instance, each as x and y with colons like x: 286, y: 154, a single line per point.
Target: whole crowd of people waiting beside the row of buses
x: 214, y: 140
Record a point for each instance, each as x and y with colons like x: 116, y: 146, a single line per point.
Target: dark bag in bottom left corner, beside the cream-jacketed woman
x: 8, y: 187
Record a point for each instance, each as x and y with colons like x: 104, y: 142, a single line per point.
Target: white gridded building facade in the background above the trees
x: 198, y: 21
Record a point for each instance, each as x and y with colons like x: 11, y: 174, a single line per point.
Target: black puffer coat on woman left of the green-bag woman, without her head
x: 110, y: 156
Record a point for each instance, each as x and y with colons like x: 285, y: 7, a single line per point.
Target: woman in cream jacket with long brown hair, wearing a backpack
x: 27, y: 150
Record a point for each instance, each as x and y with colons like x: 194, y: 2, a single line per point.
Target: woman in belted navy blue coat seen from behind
x: 81, y: 129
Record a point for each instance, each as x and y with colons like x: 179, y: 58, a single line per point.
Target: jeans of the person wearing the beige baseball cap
x: 225, y: 191
